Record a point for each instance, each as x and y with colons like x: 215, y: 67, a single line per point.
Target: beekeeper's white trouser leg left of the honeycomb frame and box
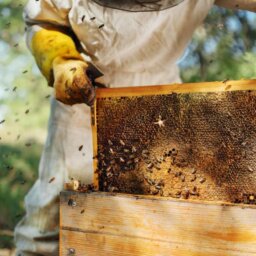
x: 69, y: 129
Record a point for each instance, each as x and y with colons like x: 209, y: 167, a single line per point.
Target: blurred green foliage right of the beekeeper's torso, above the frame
x: 222, y: 48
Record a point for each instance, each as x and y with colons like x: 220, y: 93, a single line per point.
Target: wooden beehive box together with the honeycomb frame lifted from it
x: 175, y: 166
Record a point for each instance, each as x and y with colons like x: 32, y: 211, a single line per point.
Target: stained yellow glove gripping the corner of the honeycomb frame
x: 63, y: 67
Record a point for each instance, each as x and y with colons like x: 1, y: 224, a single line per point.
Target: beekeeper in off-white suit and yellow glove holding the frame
x: 132, y: 42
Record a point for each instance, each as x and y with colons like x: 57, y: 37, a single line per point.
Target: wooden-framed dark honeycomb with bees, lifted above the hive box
x: 200, y: 140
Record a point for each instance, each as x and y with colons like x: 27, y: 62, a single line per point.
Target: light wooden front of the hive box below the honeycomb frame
x: 118, y: 224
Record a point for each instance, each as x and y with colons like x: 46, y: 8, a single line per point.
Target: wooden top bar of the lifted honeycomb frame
x: 220, y: 86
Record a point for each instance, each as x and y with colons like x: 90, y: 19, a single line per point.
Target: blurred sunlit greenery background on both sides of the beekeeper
x: 222, y: 48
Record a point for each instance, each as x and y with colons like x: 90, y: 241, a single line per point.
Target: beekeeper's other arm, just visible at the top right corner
x: 249, y: 5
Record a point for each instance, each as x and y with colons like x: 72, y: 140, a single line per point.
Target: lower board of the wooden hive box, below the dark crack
x: 102, y: 245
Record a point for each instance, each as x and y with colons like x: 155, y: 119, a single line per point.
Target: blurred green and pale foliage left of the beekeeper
x: 24, y: 105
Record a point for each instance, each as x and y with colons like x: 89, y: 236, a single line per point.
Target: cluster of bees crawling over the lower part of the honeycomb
x: 117, y: 158
